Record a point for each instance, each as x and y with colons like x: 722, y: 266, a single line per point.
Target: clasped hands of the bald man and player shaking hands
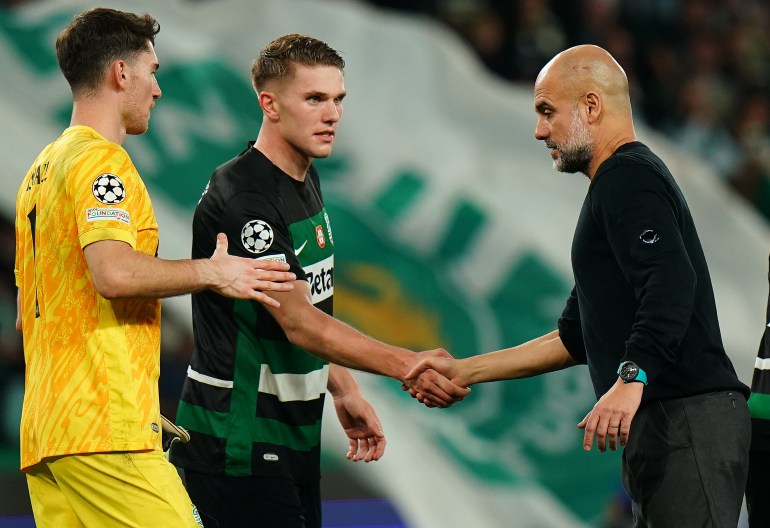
x: 432, y: 379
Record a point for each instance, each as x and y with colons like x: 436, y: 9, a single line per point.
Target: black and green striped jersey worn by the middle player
x: 252, y: 400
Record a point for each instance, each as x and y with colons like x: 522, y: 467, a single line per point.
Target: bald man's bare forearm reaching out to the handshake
x: 544, y: 354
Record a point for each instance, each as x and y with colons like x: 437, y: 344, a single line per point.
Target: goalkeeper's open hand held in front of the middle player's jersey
x: 243, y: 278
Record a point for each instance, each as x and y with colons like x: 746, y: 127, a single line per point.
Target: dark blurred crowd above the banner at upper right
x: 699, y: 69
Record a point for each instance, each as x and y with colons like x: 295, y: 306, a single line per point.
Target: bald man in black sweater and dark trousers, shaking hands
x: 642, y: 314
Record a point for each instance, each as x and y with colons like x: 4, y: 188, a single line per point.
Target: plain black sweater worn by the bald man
x: 642, y: 287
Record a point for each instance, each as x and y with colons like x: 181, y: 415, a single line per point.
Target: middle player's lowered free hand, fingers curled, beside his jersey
x: 362, y: 427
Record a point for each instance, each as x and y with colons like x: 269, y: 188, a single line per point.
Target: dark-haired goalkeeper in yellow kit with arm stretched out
x: 89, y: 283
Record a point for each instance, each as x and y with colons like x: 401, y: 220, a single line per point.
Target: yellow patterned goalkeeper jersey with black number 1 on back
x: 92, y: 365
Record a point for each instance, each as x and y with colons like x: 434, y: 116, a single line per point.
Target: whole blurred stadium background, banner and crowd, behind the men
x: 451, y: 227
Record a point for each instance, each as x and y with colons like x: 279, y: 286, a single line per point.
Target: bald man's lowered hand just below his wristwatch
x: 610, y: 419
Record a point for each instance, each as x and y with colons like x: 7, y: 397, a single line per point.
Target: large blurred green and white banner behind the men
x: 451, y: 229
